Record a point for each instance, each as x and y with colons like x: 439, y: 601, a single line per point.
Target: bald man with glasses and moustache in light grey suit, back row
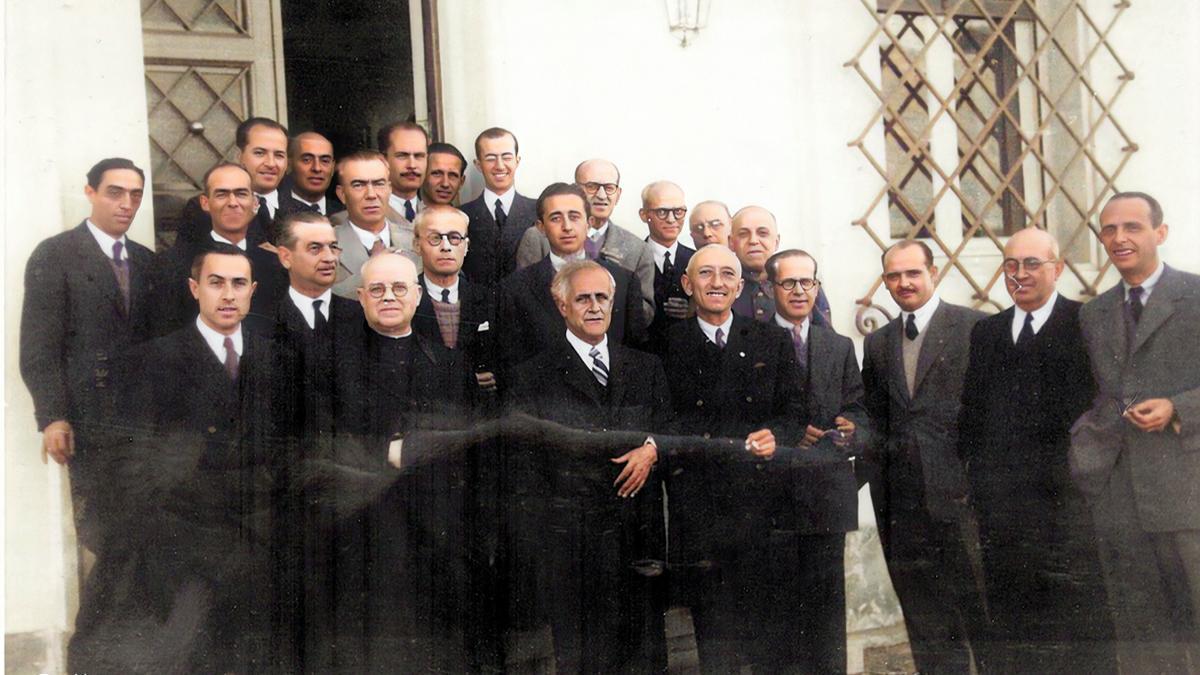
x: 601, y: 182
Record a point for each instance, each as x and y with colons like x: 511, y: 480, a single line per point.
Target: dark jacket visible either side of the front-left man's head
x: 177, y: 307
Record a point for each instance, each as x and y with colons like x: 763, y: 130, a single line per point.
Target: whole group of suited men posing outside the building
x: 364, y: 429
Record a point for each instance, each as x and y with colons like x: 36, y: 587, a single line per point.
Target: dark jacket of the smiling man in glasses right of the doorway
x: 493, y: 255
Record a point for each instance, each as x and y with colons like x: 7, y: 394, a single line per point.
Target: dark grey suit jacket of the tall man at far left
x: 74, y: 324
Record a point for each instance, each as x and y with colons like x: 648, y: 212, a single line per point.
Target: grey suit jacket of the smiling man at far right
x: 1163, y: 469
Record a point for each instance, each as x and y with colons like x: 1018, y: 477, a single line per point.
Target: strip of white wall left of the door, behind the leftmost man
x: 74, y: 94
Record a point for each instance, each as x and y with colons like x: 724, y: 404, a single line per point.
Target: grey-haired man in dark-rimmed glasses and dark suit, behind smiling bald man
x: 663, y: 213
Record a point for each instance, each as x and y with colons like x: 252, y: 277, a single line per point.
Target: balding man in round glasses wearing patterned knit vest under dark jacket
x: 454, y: 312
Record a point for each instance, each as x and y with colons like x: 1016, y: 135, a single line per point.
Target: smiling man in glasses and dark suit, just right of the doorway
x: 500, y: 216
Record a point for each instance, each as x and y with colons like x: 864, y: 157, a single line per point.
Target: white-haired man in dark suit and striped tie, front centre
x: 602, y: 516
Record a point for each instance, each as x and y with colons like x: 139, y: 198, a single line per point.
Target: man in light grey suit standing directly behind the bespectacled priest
x: 363, y: 229
